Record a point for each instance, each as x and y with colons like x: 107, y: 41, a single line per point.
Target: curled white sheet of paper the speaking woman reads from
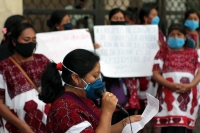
x: 150, y: 111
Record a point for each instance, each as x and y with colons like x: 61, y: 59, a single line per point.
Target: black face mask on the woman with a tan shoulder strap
x: 25, y: 49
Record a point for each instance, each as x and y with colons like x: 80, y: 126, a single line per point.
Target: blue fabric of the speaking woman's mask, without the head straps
x: 92, y: 87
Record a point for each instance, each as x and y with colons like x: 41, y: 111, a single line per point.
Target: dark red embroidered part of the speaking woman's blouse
x: 65, y: 113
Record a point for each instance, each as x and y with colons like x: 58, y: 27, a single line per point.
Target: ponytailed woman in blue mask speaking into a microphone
x: 71, y: 107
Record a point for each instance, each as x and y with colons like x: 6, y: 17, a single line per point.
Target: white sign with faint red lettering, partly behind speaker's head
x: 55, y: 45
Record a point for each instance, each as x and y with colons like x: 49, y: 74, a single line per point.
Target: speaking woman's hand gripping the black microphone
x: 109, y: 102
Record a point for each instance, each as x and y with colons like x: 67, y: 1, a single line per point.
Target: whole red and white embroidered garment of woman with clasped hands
x: 177, y: 109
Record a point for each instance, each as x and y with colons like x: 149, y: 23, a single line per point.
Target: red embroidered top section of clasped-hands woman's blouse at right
x: 178, y: 61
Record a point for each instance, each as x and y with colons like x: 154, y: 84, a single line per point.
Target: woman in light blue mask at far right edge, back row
x: 192, y: 24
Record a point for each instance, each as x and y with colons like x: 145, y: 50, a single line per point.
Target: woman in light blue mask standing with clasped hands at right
x: 176, y: 68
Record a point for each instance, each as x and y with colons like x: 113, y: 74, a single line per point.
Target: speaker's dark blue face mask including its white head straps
x: 89, y: 88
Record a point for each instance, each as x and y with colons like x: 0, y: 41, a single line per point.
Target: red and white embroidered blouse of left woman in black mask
x: 20, y: 96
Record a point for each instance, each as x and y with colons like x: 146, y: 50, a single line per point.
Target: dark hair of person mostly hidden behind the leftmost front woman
x: 11, y: 22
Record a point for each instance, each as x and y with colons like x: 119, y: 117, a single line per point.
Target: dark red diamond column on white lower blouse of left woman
x: 33, y: 117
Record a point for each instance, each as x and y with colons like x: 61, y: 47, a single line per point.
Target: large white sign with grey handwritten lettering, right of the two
x: 127, y: 51
